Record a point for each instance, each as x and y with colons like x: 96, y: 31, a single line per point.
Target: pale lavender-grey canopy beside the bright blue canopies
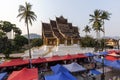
x: 74, y: 67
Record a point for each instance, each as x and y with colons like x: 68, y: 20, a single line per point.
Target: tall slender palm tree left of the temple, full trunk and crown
x: 28, y: 15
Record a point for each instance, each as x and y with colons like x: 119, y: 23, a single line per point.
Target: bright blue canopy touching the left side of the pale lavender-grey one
x: 58, y: 68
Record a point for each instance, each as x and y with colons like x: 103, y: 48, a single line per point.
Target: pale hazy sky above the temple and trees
x: 76, y: 11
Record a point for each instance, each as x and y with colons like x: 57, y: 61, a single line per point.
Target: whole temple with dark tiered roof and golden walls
x: 60, y: 32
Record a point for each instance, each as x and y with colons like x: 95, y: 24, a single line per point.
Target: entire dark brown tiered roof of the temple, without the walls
x: 60, y: 29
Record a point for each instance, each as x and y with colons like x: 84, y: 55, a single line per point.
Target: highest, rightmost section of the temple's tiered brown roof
x: 66, y: 28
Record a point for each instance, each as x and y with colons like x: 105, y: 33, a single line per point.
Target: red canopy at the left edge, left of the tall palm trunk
x: 14, y: 62
